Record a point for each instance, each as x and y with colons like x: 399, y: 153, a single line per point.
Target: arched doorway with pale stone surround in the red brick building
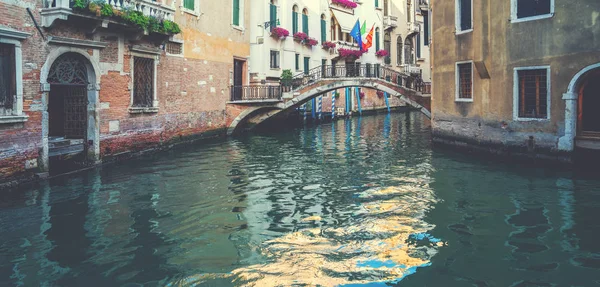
x: 70, y: 116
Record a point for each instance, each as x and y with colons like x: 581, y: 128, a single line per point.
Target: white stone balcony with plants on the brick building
x: 63, y: 9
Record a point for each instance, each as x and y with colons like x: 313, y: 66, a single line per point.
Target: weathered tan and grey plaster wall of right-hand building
x: 567, y: 42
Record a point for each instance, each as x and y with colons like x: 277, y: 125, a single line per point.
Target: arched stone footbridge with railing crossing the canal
x: 259, y: 103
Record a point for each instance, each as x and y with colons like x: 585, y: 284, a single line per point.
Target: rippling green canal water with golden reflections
x: 360, y: 202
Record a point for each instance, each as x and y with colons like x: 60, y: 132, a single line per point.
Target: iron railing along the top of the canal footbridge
x: 376, y: 71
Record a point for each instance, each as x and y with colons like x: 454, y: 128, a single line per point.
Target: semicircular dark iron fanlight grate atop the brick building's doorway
x: 68, y: 69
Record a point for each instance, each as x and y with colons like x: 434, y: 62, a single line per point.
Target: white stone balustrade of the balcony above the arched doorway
x: 147, y: 7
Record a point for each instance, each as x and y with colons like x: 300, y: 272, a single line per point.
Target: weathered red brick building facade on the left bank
x: 86, y: 88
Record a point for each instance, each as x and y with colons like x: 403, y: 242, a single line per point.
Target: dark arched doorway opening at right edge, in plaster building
x: 588, y: 115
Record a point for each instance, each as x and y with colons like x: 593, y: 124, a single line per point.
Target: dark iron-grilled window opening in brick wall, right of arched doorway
x: 143, y: 82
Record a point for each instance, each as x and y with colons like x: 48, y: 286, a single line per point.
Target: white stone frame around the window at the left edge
x: 14, y: 38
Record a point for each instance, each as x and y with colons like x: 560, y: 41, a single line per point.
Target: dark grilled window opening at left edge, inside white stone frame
x: 8, y: 84
